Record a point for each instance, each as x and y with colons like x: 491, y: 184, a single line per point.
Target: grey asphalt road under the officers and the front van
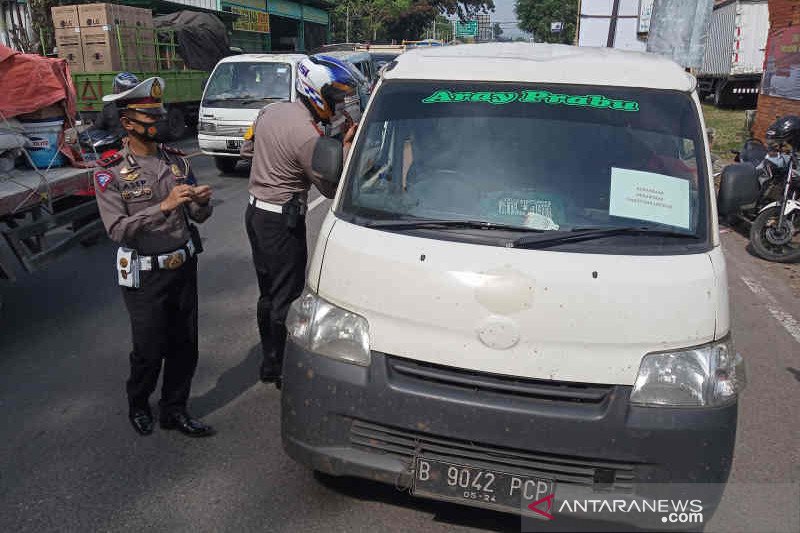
x: 69, y: 461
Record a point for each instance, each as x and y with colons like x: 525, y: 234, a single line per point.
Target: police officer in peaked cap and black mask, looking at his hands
x: 148, y: 197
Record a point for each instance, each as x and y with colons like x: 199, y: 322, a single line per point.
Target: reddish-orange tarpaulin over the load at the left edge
x: 30, y: 82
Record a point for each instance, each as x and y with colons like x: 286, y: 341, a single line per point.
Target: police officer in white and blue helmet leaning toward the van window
x: 284, y: 136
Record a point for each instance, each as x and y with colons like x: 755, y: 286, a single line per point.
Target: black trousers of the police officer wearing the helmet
x: 279, y: 255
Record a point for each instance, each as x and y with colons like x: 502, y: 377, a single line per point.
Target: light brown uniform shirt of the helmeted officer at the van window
x: 283, y: 147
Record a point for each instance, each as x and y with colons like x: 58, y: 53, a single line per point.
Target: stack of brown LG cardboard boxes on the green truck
x: 87, y: 36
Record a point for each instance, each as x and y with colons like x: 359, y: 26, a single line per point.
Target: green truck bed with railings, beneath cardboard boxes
x: 183, y: 90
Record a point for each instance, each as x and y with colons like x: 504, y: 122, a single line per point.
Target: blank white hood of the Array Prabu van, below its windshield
x: 529, y: 313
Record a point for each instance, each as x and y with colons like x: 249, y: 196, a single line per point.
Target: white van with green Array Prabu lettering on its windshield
x: 519, y: 295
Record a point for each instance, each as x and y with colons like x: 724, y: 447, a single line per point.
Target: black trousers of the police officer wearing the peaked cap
x: 163, y: 315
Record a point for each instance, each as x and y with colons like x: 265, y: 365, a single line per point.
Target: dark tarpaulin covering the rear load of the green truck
x: 202, y: 38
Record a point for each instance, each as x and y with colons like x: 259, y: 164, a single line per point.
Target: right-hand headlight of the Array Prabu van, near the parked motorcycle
x: 706, y: 376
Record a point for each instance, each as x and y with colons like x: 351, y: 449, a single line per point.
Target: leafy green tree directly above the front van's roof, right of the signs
x: 535, y: 16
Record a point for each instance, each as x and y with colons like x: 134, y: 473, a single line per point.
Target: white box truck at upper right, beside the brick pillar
x: 734, y: 57
